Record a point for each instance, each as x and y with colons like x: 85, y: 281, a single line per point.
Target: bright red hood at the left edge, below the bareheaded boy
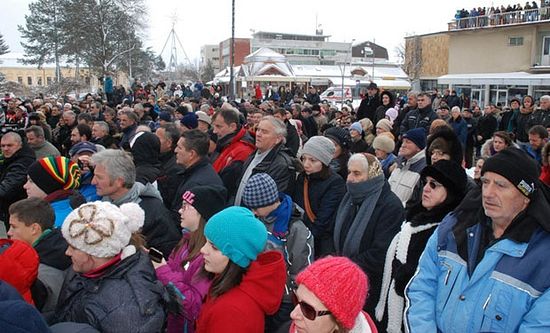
x: 19, y: 262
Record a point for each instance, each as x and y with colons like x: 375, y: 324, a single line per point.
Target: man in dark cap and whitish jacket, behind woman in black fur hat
x: 410, y: 162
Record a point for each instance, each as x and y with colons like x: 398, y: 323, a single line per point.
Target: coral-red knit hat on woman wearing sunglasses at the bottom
x: 339, y: 284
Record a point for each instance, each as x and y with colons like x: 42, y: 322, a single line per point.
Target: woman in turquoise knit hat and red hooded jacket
x: 247, y: 284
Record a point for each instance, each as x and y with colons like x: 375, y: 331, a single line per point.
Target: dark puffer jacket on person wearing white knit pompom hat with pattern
x: 126, y: 298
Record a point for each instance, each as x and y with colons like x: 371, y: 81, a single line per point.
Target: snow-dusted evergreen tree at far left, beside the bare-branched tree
x: 42, y: 34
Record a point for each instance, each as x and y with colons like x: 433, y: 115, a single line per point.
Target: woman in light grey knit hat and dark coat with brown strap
x: 319, y: 191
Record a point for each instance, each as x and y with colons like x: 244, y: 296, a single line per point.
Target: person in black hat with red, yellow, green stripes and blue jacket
x: 55, y: 180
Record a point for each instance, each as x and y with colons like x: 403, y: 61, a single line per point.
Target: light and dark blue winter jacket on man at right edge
x: 508, y: 290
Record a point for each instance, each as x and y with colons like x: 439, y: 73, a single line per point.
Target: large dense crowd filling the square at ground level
x: 174, y: 210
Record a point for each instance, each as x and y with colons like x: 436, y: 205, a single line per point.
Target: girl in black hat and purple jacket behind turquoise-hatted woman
x: 184, y: 268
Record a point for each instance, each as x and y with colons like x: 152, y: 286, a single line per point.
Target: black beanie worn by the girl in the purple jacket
x: 207, y: 200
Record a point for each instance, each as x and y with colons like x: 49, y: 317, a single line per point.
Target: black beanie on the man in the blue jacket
x: 516, y: 166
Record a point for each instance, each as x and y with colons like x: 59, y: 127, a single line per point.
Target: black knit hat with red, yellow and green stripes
x: 54, y: 173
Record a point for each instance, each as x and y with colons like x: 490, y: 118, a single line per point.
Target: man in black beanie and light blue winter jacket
x: 485, y: 269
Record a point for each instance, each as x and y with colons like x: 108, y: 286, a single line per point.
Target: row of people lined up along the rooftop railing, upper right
x: 495, y: 15
